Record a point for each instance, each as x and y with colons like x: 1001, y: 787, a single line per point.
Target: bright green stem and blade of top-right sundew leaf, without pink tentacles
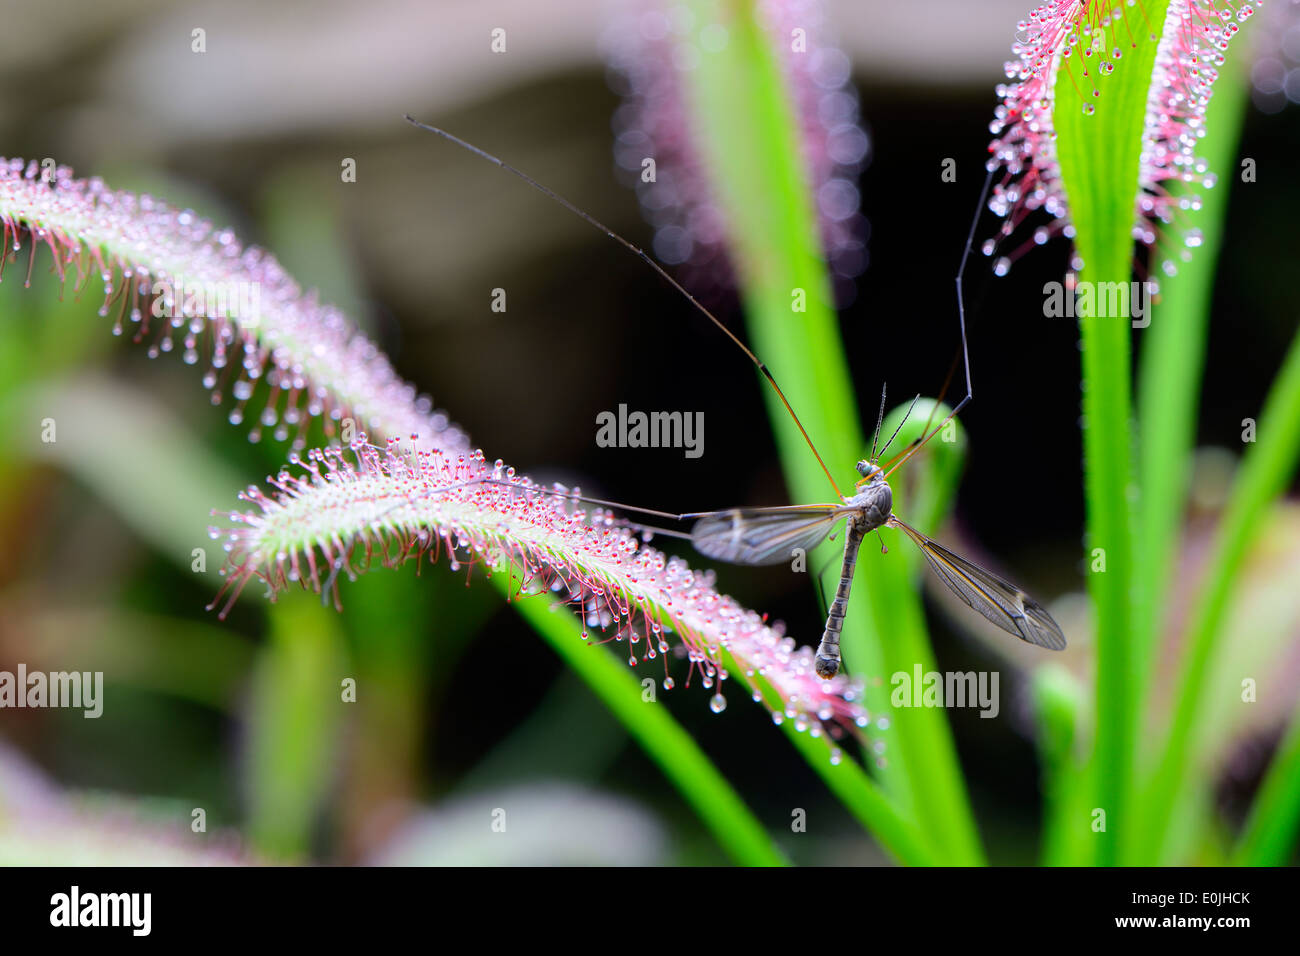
x: 1099, y: 146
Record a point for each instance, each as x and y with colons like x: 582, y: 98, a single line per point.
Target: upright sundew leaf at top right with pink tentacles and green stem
x: 1104, y: 115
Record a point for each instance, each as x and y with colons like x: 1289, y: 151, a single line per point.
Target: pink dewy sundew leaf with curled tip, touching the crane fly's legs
x: 341, y: 513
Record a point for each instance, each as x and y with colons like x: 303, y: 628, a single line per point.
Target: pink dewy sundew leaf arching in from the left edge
x: 176, y: 282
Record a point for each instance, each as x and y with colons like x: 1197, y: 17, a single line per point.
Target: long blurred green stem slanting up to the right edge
x: 1266, y: 471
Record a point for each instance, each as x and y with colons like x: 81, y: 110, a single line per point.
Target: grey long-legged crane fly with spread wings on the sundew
x: 770, y: 535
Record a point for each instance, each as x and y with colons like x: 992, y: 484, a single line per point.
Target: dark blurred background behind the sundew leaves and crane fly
x: 465, y: 706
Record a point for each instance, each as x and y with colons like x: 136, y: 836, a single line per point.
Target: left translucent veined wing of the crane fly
x: 764, y: 537
